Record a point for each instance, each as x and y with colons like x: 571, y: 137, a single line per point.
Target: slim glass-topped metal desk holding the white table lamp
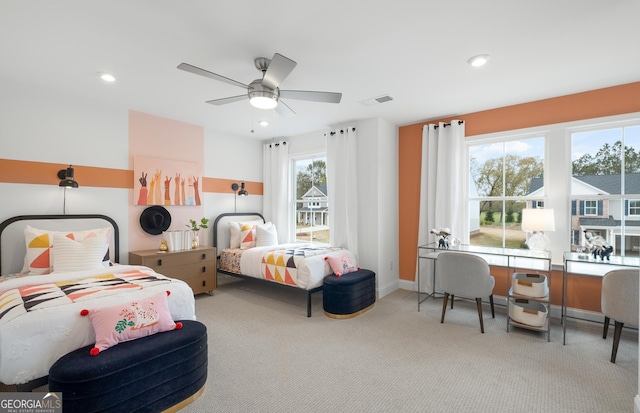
x: 511, y: 258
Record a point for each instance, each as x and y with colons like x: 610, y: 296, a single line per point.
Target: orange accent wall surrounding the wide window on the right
x: 610, y: 101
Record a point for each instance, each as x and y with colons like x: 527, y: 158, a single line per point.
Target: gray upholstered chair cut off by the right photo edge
x: 619, y: 303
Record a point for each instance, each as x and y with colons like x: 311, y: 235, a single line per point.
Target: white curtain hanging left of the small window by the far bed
x: 275, y: 197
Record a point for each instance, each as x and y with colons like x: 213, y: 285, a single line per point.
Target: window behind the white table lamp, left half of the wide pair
x: 505, y: 178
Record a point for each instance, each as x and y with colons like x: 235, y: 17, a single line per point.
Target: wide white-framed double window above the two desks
x: 589, y: 173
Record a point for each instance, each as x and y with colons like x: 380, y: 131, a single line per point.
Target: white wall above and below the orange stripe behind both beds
x: 38, y: 125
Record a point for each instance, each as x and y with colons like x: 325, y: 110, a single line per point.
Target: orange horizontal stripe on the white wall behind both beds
x: 29, y: 172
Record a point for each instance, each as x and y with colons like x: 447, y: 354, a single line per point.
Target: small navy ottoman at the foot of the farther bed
x: 350, y: 294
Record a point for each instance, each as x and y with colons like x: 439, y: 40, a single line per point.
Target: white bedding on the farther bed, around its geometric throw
x: 310, y: 272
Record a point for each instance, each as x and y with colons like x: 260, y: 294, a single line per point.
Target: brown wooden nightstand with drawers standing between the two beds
x: 196, y: 267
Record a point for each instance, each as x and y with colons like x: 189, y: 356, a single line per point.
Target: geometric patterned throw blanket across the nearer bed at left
x: 20, y: 300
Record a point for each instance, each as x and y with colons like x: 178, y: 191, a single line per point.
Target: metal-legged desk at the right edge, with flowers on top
x: 588, y: 267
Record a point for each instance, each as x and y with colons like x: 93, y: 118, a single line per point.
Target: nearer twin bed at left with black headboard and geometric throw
x: 43, y: 289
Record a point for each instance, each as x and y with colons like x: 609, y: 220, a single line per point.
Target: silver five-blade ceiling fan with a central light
x: 265, y: 93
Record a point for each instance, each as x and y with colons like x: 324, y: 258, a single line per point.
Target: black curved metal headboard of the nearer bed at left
x: 12, y: 240
